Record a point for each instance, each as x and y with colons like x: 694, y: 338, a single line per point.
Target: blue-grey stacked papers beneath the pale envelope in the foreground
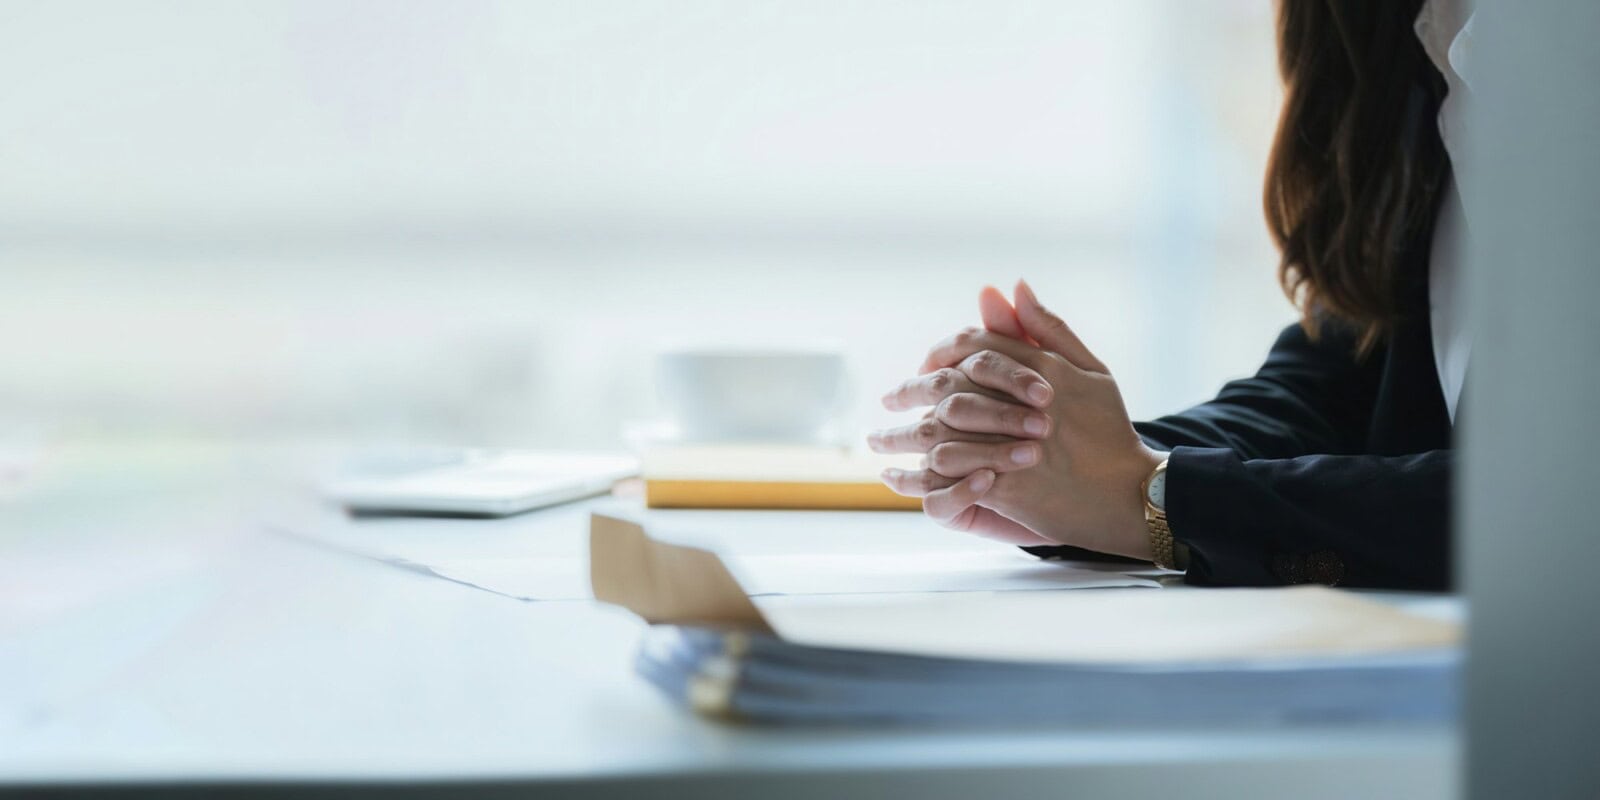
x: 766, y: 679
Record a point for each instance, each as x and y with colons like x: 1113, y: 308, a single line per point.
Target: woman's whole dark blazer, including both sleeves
x: 1324, y: 468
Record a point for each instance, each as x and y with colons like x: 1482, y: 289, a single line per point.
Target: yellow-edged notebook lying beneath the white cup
x: 770, y: 478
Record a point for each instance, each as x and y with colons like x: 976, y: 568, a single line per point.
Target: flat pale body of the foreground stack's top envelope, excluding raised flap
x: 1121, y: 628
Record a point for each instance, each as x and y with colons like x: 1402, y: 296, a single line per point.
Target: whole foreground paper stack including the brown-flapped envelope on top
x: 1111, y: 657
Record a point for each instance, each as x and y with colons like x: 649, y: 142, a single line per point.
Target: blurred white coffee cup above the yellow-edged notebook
x: 751, y: 396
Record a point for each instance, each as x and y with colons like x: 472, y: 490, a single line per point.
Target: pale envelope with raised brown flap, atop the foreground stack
x: 647, y: 577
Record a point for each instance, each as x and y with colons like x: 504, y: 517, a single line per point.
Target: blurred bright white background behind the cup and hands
x: 476, y: 222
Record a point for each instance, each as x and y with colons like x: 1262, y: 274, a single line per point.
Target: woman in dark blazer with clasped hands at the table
x: 1334, y: 463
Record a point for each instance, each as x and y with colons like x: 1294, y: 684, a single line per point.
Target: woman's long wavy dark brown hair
x: 1358, y: 164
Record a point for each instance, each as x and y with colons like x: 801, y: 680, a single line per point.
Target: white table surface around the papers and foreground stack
x: 154, y: 631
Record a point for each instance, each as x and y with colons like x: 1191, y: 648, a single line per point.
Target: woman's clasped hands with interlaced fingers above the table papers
x: 1028, y: 439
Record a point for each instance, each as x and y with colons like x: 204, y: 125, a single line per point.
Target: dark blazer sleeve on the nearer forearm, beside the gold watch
x: 1348, y: 521
